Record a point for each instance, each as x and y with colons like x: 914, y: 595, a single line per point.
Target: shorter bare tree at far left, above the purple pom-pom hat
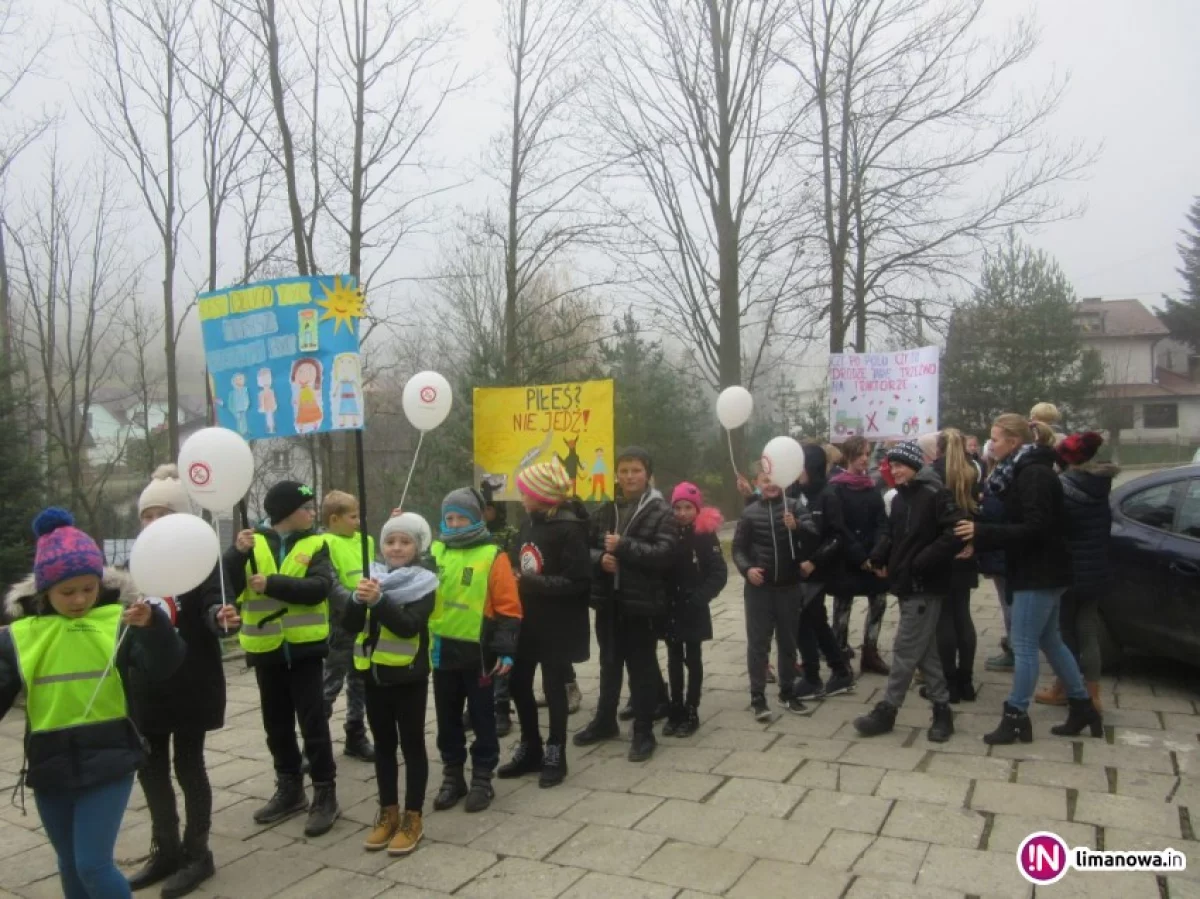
x: 71, y: 279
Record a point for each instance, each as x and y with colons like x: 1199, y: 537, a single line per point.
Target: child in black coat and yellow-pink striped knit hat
x: 554, y: 568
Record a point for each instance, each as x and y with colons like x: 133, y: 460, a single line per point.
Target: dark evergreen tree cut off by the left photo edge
x: 21, y: 482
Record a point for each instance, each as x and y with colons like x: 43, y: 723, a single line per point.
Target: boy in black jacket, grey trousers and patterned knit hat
x: 916, y: 556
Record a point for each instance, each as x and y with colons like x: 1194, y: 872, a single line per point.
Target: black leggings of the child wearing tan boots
x: 397, y: 716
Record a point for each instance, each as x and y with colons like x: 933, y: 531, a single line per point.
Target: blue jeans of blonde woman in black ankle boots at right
x: 1036, y: 625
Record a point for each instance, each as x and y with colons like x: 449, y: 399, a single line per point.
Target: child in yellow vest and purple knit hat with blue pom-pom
x: 81, y: 747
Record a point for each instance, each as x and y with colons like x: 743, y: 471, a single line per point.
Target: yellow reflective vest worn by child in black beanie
x: 268, y: 624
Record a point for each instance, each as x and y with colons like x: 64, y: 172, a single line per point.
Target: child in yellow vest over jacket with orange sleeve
x: 473, y: 634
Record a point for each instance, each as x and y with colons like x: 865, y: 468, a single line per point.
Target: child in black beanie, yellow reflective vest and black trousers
x: 284, y: 578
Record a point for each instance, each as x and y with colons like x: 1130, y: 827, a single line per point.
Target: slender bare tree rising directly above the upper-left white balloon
x: 143, y: 118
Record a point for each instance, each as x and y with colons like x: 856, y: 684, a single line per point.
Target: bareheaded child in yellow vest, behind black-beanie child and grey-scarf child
x: 340, y: 516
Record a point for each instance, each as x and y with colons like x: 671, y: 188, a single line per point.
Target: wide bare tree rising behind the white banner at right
x: 910, y: 121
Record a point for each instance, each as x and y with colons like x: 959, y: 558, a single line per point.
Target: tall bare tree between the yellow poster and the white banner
x: 688, y: 106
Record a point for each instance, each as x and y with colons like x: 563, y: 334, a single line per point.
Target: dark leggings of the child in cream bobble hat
x: 194, y: 781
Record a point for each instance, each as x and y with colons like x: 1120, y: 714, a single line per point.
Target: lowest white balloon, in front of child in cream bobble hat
x: 175, y: 555
